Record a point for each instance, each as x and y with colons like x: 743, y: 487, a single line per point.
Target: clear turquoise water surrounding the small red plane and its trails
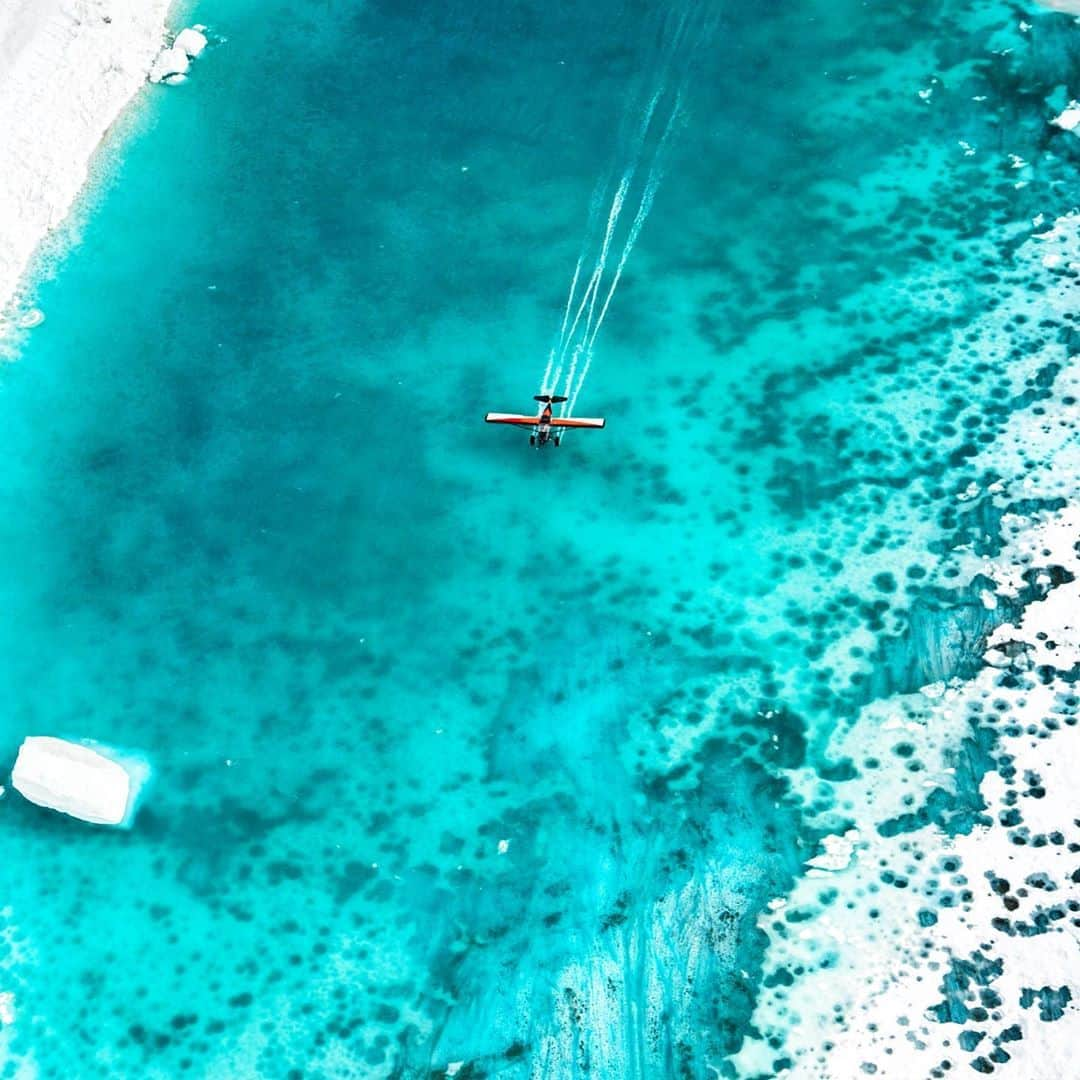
x: 471, y: 761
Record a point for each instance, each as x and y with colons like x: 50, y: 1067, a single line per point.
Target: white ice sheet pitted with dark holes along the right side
x: 951, y: 941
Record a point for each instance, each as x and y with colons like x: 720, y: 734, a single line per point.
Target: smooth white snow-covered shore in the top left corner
x: 67, y: 69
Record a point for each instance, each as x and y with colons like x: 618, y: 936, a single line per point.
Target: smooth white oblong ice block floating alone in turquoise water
x: 75, y: 779
